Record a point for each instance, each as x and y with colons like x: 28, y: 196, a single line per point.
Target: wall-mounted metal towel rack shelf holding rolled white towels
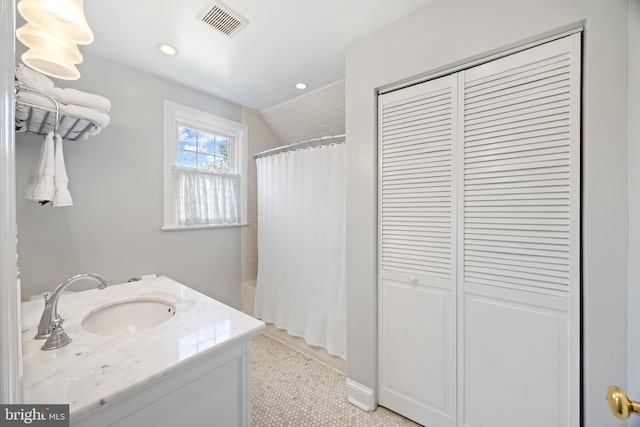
x: 51, y: 118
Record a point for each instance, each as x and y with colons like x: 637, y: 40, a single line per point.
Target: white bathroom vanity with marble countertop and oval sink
x: 159, y: 354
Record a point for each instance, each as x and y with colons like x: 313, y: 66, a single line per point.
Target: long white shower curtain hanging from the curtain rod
x: 301, y: 245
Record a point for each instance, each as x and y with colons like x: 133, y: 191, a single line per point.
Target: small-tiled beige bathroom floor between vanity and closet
x: 291, y: 389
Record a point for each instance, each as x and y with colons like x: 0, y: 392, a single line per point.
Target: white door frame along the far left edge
x: 10, y: 338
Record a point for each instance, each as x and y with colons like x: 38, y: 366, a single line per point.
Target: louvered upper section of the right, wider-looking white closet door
x: 517, y: 178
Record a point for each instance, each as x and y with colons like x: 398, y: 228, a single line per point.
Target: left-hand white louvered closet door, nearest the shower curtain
x: 417, y: 247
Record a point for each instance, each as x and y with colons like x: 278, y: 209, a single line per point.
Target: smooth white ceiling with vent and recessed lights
x: 286, y: 41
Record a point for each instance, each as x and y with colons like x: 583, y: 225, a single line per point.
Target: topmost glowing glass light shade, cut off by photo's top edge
x: 62, y: 18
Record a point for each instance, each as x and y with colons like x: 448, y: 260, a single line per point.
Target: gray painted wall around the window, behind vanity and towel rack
x: 115, y: 179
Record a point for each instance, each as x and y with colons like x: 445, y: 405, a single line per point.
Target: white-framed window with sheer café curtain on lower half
x: 204, y: 169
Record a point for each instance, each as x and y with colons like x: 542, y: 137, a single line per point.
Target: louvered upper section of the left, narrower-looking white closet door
x: 416, y: 135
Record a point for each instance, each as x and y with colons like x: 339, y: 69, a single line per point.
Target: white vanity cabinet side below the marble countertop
x: 212, y: 391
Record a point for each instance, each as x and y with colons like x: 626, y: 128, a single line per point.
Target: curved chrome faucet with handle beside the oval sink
x: 50, y: 326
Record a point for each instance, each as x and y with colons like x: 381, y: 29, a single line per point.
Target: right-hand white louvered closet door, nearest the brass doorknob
x: 519, y: 246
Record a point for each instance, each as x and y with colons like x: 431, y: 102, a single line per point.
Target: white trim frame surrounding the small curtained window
x: 176, y: 115
